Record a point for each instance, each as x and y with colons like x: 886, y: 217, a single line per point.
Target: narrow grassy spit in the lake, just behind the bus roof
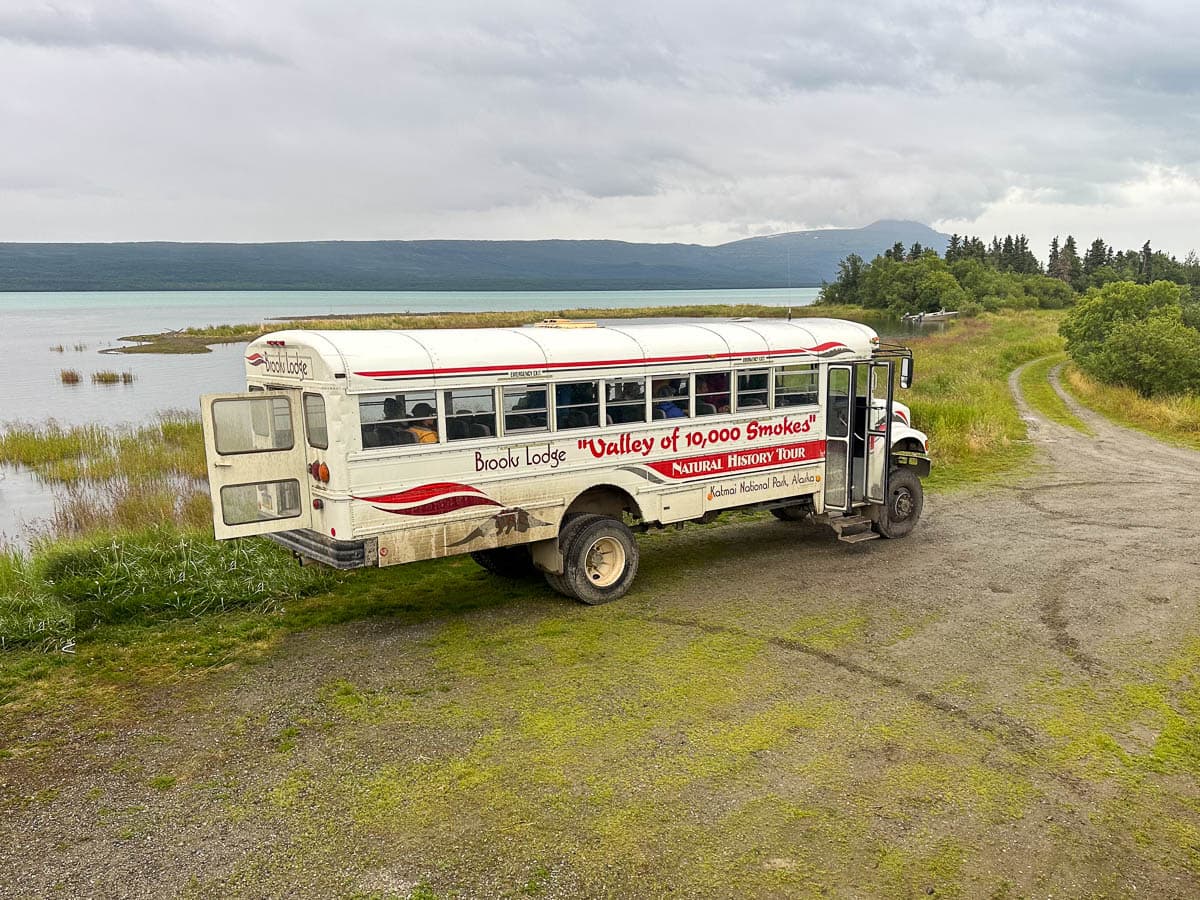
x: 199, y: 340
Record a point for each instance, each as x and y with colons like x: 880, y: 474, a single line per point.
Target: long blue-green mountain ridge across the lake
x: 778, y: 261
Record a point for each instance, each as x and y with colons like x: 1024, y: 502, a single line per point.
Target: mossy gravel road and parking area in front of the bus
x: 1003, y: 705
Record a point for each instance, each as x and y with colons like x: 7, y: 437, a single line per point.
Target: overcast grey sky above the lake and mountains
x: 675, y: 122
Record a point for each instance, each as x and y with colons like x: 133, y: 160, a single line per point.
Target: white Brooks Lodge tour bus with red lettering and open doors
x: 547, y: 447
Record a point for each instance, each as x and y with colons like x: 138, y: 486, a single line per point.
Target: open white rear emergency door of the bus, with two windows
x: 257, y: 463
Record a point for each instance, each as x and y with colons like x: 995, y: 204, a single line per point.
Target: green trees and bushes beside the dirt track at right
x: 1133, y: 319
